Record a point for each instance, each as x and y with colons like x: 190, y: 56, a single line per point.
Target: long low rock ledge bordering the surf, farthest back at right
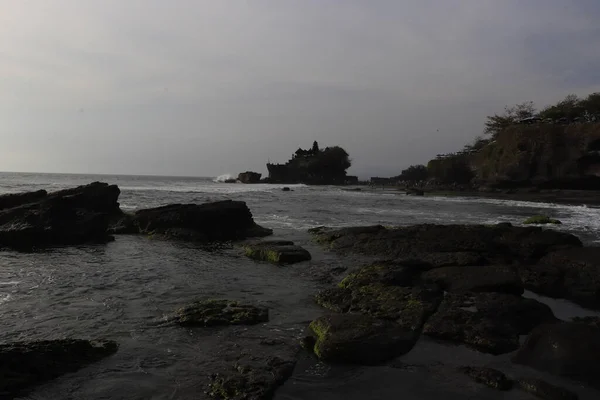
x: 497, y: 244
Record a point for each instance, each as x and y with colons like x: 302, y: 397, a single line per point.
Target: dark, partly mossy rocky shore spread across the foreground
x: 458, y: 285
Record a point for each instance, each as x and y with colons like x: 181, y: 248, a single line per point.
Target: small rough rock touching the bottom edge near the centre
x: 256, y: 380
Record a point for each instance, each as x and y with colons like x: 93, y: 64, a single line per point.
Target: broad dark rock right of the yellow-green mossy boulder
x: 487, y: 322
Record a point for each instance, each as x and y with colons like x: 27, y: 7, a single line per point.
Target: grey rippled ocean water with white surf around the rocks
x: 124, y: 290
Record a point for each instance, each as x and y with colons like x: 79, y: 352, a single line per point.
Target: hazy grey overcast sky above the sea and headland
x: 205, y: 88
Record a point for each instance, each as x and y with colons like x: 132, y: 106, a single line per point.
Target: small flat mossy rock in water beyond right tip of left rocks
x: 277, y: 252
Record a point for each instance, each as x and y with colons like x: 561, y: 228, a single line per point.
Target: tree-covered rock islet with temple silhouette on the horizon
x: 313, y: 166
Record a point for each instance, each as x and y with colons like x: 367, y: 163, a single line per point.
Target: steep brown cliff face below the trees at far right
x: 543, y: 155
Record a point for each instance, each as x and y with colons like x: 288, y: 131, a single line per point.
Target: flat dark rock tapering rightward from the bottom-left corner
x: 24, y: 365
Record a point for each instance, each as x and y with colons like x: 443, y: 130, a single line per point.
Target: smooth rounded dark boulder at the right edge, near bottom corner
x: 564, y: 349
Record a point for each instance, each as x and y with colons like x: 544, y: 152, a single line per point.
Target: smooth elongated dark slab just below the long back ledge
x: 476, y: 279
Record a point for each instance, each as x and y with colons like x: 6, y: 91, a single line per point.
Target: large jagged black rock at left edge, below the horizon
x: 67, y: 217
